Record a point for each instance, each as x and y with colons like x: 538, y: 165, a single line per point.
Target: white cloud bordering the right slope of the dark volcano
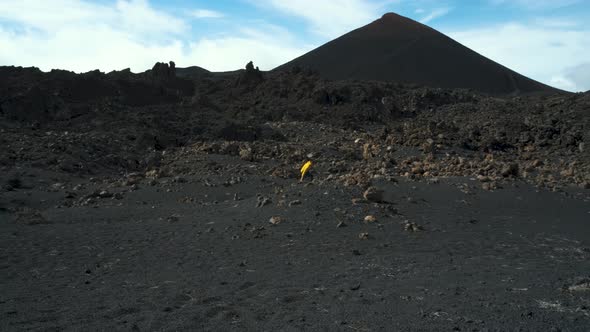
x: 543, y: 53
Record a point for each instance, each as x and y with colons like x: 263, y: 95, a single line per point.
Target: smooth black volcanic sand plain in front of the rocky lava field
x: 186, y: 256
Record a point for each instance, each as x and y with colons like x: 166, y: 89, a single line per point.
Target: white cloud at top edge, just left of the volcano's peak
x: 329, y: 18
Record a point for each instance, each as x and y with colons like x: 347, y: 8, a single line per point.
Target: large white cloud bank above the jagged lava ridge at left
x: 81, y: 36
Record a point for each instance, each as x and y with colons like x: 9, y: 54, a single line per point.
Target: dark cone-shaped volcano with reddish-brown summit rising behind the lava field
x: 397, y: 49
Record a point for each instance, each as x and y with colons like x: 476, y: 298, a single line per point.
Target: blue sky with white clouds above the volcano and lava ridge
x: 547, y: 40
